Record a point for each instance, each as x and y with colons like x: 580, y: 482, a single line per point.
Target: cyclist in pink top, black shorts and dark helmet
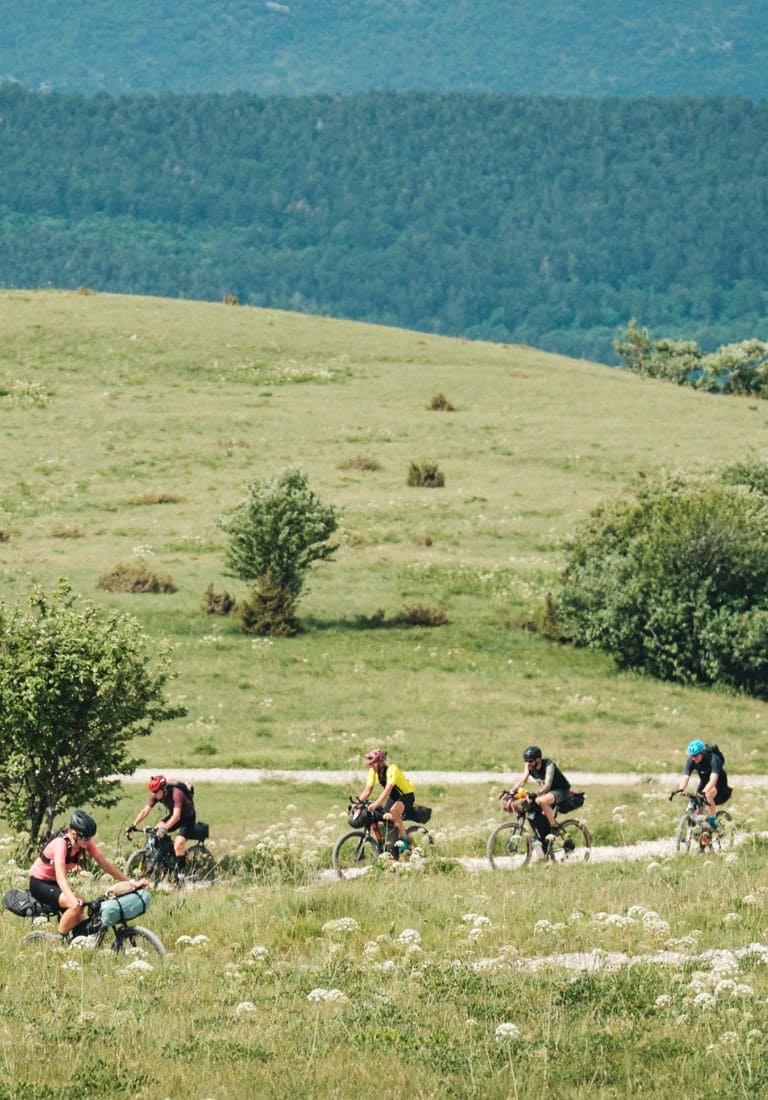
x: 61, y: 855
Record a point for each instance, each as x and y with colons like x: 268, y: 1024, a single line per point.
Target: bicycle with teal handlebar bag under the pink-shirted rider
x: 102, y: 917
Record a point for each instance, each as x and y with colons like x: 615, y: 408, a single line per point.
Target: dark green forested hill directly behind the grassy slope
x: 522, y: 219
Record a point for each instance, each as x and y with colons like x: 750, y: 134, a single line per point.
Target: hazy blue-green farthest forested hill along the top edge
x: 565, y: 48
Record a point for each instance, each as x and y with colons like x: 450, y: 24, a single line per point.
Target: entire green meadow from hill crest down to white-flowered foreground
x: 128, y: 427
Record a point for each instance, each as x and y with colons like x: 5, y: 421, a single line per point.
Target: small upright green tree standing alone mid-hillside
x: 277, y: 533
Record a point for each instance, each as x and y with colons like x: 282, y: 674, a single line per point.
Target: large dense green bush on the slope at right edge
x: 673, y: 578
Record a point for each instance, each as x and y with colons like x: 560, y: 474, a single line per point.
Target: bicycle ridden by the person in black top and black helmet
x: 513, y: 843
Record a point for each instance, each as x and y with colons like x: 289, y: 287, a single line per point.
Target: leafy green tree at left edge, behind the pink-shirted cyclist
x: 76, y: 687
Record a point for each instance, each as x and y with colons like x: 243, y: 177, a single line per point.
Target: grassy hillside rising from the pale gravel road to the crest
x: 111, y: 404
